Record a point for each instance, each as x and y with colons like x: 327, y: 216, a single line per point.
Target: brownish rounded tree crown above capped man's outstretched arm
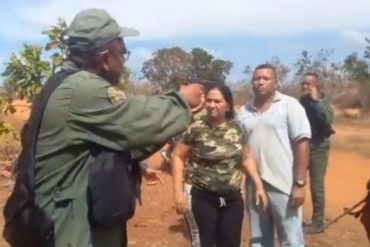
x: 168, y: 68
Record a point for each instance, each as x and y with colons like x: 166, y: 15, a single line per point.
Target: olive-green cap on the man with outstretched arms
x: 93, y: 28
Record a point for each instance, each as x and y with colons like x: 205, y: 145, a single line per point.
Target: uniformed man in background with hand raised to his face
x: 320, y: 116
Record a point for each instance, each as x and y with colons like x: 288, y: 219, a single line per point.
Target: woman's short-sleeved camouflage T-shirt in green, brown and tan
x: 214, y: 163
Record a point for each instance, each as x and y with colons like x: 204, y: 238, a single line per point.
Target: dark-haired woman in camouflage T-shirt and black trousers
x: 215, y: 151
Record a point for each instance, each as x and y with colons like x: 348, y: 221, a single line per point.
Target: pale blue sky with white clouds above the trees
x: 242, y: 31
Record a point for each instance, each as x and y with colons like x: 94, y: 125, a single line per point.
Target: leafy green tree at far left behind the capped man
x: 26, y: 71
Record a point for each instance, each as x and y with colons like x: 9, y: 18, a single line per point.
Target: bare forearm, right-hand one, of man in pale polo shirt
x: 301, y: 158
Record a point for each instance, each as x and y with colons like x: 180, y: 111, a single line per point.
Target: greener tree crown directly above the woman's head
x: 206, y: 67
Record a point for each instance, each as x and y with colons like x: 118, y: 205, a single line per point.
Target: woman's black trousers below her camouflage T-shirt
x: 219, y: 219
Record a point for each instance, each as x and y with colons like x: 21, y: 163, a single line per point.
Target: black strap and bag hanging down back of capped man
x: 26, y: 224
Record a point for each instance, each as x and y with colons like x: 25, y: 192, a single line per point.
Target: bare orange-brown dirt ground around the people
x: 157, y: 225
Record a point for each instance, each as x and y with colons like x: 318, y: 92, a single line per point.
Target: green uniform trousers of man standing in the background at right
x: 318, y: 164
